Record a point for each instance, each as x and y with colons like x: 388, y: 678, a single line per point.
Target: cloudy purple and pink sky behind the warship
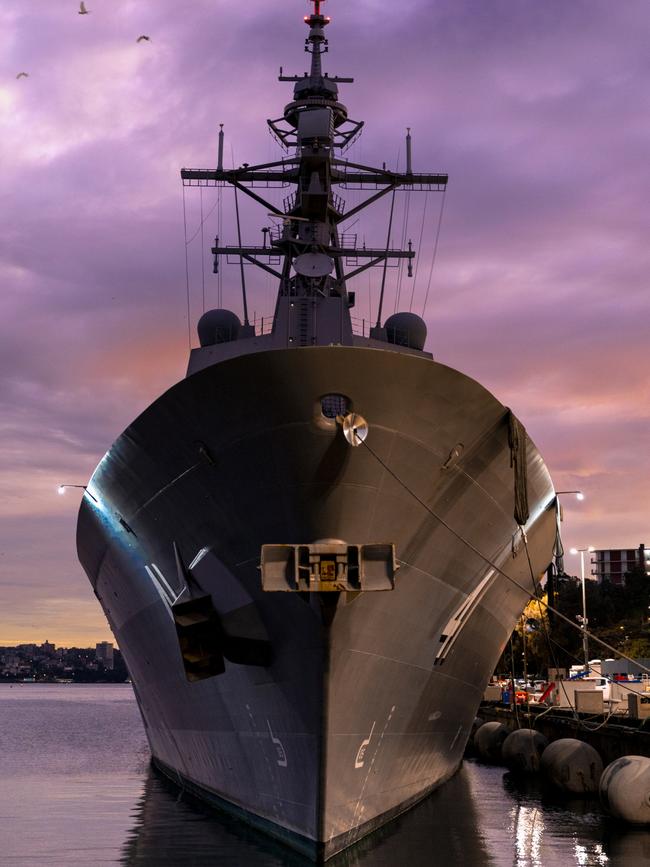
x: 540, y: 112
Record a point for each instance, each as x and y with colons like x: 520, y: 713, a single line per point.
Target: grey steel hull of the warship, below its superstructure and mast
x: 366, y: 707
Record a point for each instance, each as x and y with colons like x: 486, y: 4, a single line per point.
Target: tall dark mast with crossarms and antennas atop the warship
x: 313, y: 128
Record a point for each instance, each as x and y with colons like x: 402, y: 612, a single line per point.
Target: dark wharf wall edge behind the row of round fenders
x: 612, y: 736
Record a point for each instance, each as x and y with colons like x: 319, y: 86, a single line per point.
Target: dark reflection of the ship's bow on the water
x: 174, y: 829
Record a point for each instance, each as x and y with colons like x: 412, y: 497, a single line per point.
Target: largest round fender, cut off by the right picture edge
x: 625, y: 789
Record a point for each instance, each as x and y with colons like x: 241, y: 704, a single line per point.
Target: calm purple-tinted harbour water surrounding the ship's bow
x: 76, y: 789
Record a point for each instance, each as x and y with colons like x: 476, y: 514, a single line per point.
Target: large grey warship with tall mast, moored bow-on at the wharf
x: 312, y: 550
